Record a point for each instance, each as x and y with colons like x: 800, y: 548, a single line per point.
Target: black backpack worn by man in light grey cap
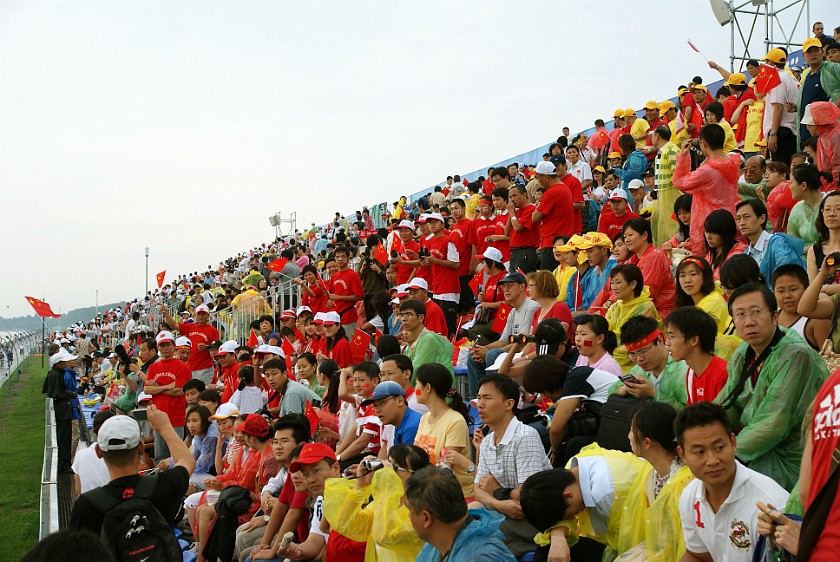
x: 134, y: 529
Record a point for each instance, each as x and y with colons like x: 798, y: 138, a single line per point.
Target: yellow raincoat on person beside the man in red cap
x: 383, y: 523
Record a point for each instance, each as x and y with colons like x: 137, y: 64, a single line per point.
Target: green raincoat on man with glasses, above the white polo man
x: 770, y: 414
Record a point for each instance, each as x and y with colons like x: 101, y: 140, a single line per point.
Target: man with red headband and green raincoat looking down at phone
x: 655, y: 373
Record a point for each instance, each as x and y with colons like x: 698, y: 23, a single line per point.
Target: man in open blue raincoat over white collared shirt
x: 770, y: 251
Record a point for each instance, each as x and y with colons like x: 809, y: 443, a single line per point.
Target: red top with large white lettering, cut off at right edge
x: 825, y: 433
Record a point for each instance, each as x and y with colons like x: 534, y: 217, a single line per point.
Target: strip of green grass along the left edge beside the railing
x: 21, y: 459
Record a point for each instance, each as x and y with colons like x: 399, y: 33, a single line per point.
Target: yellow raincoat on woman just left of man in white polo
x: 658, y: 524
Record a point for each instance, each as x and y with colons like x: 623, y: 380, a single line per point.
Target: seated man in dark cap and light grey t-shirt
x: 518, y: 322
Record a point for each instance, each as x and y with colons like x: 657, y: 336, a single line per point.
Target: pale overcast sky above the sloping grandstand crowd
x: 182, y: 125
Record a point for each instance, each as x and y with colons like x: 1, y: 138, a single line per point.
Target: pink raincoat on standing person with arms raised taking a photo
x: 714, y: 185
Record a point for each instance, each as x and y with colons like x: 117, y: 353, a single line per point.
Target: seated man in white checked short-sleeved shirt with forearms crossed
x: 510, y: 453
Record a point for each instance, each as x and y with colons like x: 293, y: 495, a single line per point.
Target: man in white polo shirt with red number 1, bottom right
x: 718, y: 510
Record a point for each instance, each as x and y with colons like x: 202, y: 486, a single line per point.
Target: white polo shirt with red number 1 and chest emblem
x: 728, y: 535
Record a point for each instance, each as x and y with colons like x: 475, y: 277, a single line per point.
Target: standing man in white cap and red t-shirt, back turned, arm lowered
x: 554, y: 212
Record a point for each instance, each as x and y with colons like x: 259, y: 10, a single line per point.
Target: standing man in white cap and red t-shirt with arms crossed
x: 165, y: 383
